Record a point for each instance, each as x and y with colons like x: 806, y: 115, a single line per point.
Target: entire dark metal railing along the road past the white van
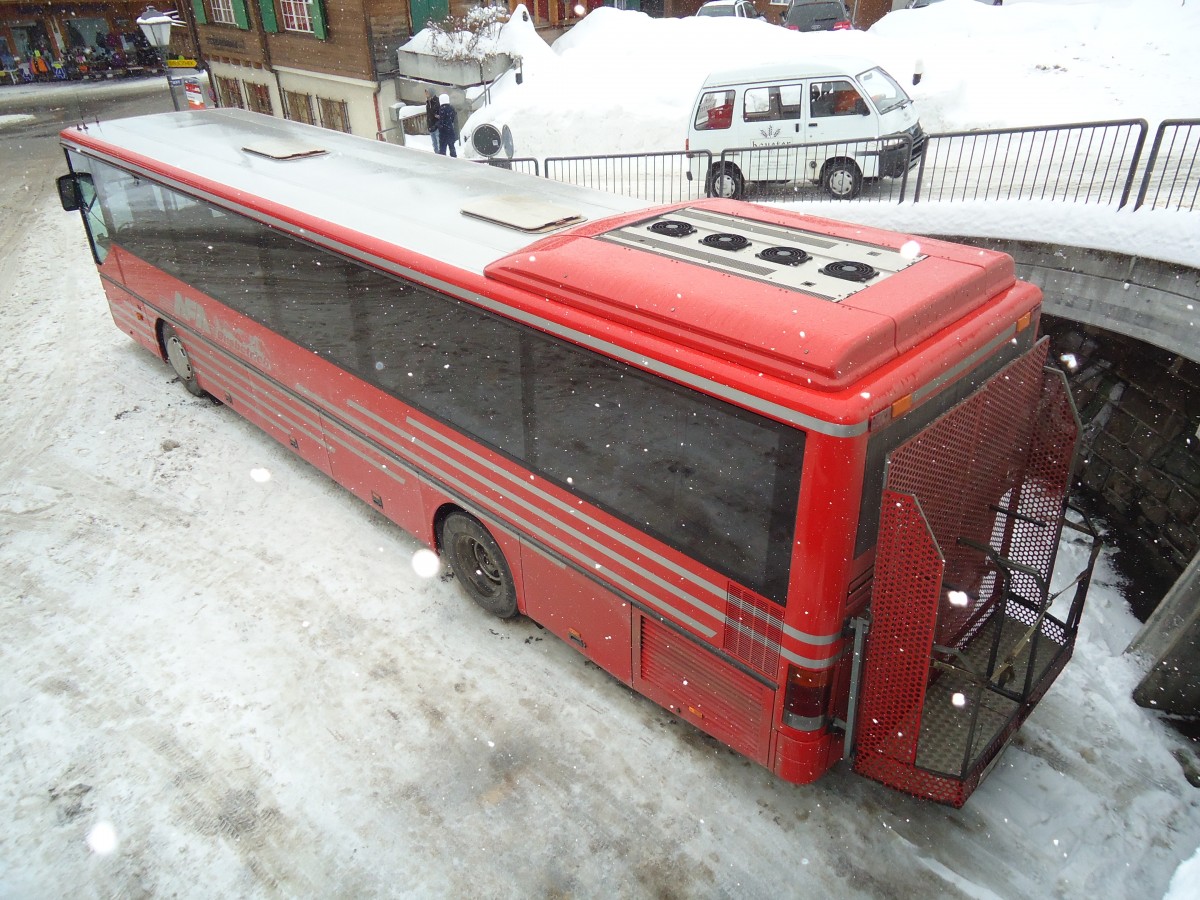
x: 1094, y: 164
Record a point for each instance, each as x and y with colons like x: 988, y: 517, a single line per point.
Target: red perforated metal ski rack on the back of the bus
x: 962, y: 646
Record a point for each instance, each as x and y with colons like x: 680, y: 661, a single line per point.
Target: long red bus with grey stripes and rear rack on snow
x: 800, y: 483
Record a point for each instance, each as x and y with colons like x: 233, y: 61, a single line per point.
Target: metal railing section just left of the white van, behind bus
x: 655, y: 177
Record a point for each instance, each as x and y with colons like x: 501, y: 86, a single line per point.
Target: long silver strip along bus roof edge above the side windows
x: 706, y: 386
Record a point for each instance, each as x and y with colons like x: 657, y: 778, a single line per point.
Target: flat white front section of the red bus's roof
x: 410, y: 199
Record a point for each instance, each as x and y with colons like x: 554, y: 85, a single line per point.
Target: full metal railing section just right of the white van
x: 1089, y: 163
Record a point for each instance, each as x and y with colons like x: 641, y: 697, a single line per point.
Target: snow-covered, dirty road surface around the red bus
x: 223, y: 677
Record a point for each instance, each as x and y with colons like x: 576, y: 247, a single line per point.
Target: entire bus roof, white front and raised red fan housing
x: 722, y: 278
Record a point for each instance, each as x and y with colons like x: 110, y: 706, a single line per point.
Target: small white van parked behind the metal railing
x: 845, y: 110
